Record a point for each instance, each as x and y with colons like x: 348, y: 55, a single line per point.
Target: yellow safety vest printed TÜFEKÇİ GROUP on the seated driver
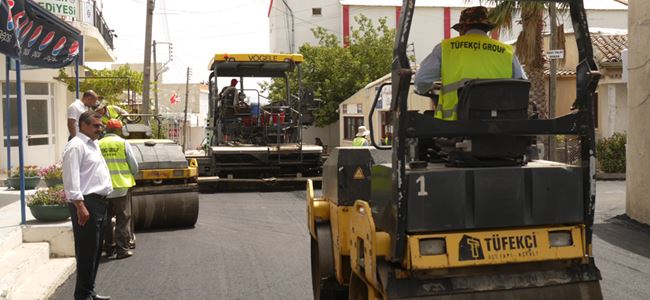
x: 470, y: 56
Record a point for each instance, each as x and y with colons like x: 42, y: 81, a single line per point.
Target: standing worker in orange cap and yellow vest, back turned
x: 122, y: 166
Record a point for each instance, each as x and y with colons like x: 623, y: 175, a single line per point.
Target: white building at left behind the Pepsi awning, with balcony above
x: 45, y: 99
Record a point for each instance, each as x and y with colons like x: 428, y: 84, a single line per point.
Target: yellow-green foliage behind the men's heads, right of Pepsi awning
x: 110, y: 88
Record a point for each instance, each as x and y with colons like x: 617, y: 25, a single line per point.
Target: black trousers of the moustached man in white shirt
x: 87, y: 244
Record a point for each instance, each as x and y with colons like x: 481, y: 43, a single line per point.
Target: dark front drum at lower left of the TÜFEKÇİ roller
x: 324, y: 282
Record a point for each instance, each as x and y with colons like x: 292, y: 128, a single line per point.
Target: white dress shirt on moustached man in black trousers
x: 84, y: 169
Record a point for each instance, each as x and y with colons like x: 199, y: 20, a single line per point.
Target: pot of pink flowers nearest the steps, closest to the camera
x: 49, y: 205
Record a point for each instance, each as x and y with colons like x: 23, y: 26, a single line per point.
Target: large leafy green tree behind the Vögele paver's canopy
x: 336, y: 72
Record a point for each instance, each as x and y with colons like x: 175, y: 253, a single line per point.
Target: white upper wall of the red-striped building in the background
x: 427, y: 29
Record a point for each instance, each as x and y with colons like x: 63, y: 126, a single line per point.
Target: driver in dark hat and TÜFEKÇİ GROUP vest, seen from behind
x: 472, y: 55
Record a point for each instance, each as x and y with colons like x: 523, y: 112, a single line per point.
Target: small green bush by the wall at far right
x: 610, y: 153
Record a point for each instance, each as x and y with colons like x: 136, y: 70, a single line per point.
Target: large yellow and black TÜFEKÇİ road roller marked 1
x: 457, y: 209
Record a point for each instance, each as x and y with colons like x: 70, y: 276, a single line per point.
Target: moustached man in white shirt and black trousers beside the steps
x: 87, y: 182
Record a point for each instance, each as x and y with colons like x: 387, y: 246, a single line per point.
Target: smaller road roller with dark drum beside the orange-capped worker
x: 166, y: 192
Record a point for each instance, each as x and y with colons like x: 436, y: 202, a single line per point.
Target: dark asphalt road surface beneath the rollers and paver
x: 255, y: 246
